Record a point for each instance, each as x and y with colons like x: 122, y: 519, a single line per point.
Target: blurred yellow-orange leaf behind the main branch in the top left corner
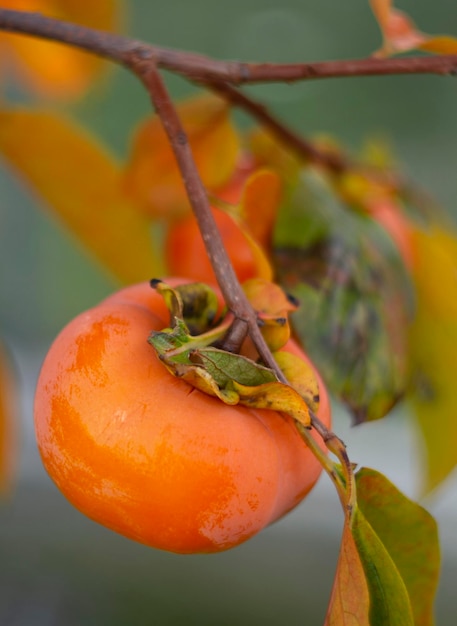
x: 52, y: 69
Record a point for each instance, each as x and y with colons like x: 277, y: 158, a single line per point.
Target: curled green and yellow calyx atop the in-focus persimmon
x: 233, y: 378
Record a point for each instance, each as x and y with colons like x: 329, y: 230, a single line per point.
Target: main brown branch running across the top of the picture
x: 195, y: 67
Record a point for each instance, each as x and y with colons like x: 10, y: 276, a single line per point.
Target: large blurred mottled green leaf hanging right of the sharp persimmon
x: 354, y: 292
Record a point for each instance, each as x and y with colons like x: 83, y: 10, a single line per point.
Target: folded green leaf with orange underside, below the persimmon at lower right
x: 388, y: 567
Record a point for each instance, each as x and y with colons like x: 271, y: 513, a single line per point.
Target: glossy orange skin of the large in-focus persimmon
x: 148, y: 456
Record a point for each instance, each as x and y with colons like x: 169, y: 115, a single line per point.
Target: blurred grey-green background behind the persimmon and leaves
x: 57, y: 567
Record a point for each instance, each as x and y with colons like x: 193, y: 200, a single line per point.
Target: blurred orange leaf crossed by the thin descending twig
x: 152, y: 177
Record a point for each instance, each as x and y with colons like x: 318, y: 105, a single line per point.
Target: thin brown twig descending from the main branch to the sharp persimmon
x: 228, y: 282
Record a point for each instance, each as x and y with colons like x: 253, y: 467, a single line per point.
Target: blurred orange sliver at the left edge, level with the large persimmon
x: 8, y: 423
